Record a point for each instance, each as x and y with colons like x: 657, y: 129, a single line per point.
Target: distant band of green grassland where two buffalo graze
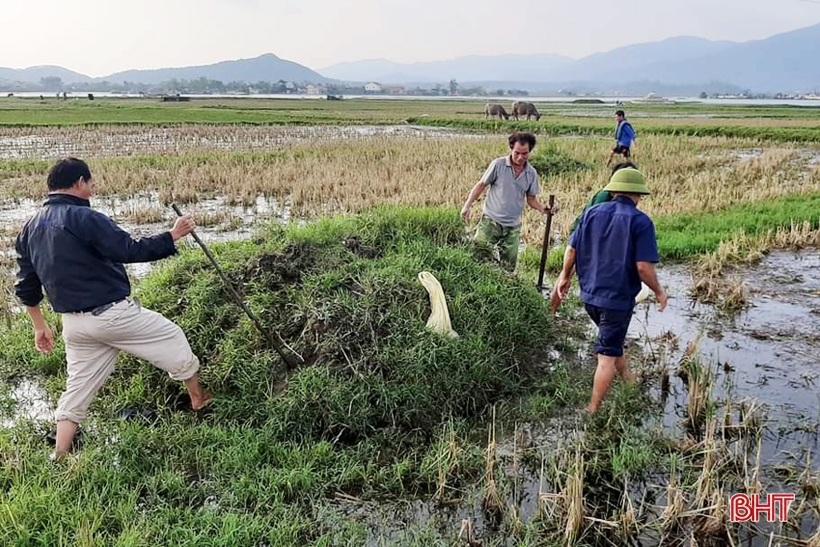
x: 764, y: 123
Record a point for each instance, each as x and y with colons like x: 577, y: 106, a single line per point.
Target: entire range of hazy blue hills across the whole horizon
x: 786, y: 62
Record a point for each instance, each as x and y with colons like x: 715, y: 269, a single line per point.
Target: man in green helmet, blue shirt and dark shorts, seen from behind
x: 613, y: 250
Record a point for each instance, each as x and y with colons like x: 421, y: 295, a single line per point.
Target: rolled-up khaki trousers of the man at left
x: 92, y: 344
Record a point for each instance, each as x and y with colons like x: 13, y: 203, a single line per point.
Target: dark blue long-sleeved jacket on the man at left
x: 76, y: 254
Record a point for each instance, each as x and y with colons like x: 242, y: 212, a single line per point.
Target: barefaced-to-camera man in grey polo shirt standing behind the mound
x: 512, y: 182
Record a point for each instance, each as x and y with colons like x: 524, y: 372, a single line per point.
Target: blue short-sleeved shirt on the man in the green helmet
x: 609, y: 242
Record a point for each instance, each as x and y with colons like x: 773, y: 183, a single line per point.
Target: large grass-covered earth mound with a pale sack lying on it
x: 344, y: 294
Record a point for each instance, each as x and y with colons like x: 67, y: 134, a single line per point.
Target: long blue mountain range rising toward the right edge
x: 785, y: 62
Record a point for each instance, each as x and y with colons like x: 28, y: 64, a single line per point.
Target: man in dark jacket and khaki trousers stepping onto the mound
x: 76, y: 254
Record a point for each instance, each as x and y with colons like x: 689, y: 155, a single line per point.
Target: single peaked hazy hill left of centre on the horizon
x: 267, y: 68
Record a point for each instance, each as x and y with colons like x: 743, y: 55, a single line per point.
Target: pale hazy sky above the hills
x: 98, y: 37
